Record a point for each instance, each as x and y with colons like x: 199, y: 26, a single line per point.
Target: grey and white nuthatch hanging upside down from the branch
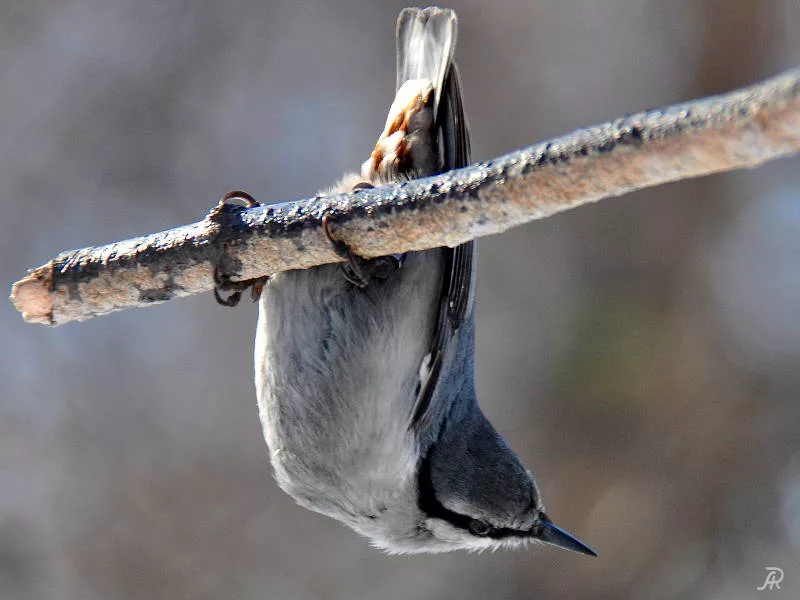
x: 365, y: 381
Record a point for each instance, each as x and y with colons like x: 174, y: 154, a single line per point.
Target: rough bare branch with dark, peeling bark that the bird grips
x: 741, y: 129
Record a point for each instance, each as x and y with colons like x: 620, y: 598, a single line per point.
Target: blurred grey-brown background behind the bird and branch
x: 642, y: 355
